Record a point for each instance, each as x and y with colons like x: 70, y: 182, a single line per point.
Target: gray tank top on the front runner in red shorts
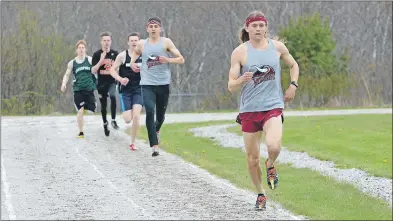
x: 264, y: 91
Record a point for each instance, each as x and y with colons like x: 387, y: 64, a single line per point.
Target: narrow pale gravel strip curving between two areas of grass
x: 362, y: 180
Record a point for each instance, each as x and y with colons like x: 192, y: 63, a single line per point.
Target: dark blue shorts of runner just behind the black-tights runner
x: 130, y: 97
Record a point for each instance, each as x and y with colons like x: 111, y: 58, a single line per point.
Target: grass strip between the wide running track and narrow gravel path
x: 318, y: 197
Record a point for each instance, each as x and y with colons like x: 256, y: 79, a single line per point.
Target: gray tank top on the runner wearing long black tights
x: 152, y: 71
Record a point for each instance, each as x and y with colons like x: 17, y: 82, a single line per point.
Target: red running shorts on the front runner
x: 253, y: 121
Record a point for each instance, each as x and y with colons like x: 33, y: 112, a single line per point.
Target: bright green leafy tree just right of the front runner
x: 323, y: 72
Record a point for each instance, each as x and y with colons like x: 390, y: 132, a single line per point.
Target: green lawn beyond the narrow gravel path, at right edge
x: 354, y: 141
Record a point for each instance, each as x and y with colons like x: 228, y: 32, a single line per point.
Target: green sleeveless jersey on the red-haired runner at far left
x: 83, y: 78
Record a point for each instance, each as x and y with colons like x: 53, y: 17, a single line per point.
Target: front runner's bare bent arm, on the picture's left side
x: 234, y: 82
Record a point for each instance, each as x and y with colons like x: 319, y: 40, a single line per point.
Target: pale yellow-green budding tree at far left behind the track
x: 33, y: 63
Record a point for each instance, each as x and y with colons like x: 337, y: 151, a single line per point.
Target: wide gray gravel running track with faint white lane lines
x: 49, y: 174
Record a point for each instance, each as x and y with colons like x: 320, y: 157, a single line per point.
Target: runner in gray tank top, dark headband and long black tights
x: 155, y: 77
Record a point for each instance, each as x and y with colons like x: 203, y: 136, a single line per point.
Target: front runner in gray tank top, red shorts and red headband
x: 255, y: 69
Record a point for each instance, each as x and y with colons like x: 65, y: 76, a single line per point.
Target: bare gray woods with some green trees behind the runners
x: 344, y: 49
